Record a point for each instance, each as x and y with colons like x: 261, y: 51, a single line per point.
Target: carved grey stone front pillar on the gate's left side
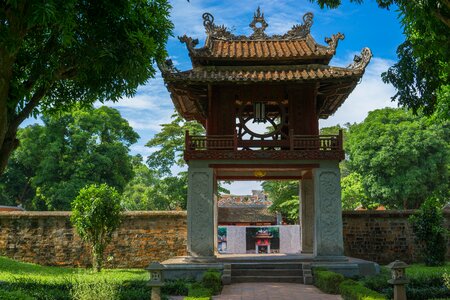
x: 200, y: 213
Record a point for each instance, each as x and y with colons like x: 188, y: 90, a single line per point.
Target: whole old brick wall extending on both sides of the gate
x: 48, y: 238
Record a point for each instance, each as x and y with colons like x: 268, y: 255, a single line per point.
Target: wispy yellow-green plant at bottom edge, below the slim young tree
x: 86, y: 290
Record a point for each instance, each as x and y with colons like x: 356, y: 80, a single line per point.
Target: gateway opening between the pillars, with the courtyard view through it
x: 250, y: 223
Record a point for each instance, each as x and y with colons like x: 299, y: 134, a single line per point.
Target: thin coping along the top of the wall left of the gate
x: 66, y: 214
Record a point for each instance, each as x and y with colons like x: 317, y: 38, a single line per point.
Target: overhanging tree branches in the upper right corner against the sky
x: 422, y: 73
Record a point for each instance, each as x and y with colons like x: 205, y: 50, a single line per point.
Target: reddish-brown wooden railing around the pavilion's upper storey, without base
x: 295, y: 143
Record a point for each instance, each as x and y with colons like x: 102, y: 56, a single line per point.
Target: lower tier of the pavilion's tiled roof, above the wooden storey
x: 264, y: 74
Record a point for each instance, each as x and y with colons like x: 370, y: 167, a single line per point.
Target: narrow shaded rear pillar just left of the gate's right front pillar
x: 307, y: 215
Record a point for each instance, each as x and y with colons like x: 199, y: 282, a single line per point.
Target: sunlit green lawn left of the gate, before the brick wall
x: 60, y: 283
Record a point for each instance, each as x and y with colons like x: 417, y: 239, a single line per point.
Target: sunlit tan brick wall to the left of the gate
x: 48, y: 238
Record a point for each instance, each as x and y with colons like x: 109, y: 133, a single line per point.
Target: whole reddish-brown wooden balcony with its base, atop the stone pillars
x: 304, y: 147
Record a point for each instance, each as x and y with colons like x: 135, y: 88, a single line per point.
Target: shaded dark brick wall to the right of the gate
x: 382, y: 236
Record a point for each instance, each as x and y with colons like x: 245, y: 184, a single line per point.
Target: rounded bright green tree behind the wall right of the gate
x: 401, y: 158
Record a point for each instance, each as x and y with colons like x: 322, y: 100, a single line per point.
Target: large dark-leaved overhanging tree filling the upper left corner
x: 58, y: 52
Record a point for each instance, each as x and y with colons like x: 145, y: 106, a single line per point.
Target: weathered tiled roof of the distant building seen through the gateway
x: 250, y: 214
